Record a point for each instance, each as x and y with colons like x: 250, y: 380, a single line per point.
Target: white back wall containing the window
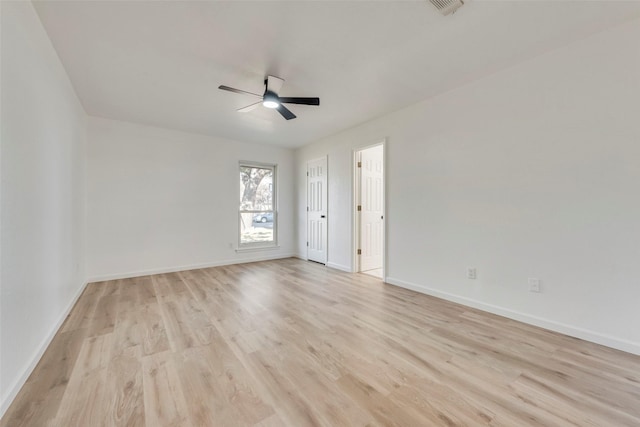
x: 161, y: 200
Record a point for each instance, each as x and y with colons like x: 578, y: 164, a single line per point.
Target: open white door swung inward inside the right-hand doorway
x: 372, y: 208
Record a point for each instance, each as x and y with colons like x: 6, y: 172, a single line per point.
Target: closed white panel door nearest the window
x: 317, y: 210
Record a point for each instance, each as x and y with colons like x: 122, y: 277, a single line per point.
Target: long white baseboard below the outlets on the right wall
x: 573, y: 331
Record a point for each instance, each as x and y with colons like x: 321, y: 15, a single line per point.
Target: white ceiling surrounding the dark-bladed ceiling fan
x: 160, y: 63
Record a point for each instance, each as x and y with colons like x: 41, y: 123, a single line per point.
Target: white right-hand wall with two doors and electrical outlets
x: 531, y: 172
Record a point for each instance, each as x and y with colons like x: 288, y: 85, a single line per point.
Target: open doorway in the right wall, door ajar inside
x: 369, y: 210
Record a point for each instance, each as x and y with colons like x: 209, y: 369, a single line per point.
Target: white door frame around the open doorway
x: 355, y: 199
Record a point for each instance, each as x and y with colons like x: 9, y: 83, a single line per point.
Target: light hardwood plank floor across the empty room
x: 292, y: 343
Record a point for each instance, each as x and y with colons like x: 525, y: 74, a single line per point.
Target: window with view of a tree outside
x: 258, y: 218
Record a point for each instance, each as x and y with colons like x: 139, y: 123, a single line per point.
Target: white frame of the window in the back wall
x: 247, y: 246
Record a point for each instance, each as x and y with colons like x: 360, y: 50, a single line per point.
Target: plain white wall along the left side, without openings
x: 42, y: 215
